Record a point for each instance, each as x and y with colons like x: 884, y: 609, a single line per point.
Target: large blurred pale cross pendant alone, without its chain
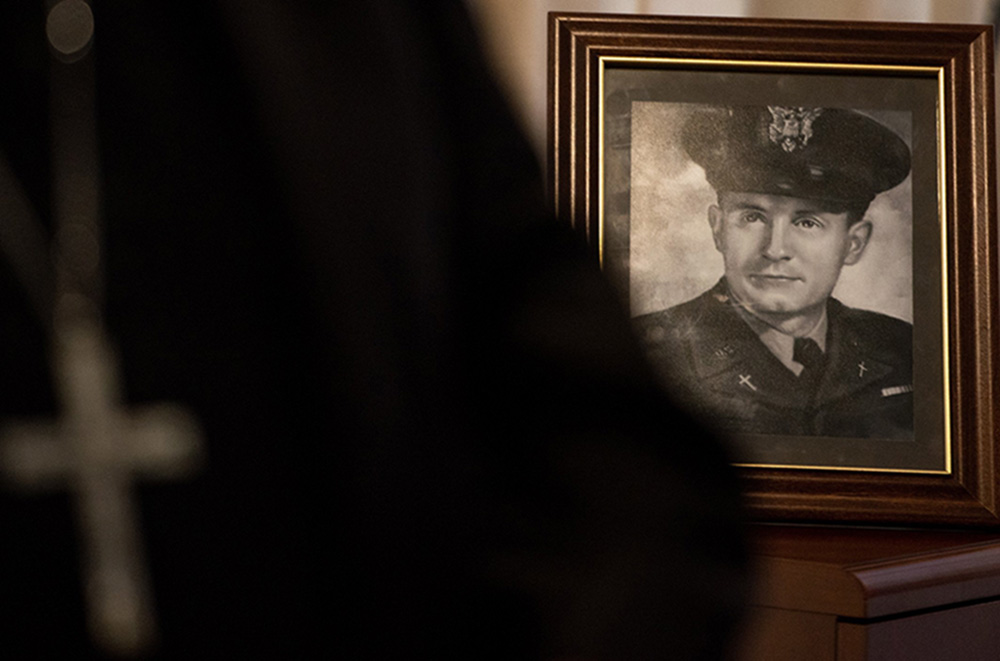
x: 96, y: 450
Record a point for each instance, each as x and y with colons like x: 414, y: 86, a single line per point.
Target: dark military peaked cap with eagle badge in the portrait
x: 830, y: 154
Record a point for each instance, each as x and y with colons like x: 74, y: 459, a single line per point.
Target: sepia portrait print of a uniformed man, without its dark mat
x: 787, y: 306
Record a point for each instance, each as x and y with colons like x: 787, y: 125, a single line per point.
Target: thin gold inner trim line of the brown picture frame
x: 801, y: 67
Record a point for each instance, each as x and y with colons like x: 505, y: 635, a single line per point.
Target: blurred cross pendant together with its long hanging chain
x: 97, y: 448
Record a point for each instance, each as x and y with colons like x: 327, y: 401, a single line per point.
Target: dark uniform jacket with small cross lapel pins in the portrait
x: 717, y: 363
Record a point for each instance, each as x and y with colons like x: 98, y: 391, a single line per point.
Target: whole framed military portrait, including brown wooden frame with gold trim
x: 800, y: 217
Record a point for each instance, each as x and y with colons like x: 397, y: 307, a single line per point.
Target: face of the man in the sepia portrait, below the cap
x: 783, y: 255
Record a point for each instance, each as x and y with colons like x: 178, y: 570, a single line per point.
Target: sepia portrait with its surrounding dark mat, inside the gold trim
x: 778, y: 240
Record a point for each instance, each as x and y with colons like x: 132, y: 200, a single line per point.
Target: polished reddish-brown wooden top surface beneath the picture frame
x: 865, y: 573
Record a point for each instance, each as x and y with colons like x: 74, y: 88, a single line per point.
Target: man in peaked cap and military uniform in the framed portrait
x: 767, y: 350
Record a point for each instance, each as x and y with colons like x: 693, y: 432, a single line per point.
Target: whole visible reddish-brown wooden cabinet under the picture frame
x: 844, y: 594
